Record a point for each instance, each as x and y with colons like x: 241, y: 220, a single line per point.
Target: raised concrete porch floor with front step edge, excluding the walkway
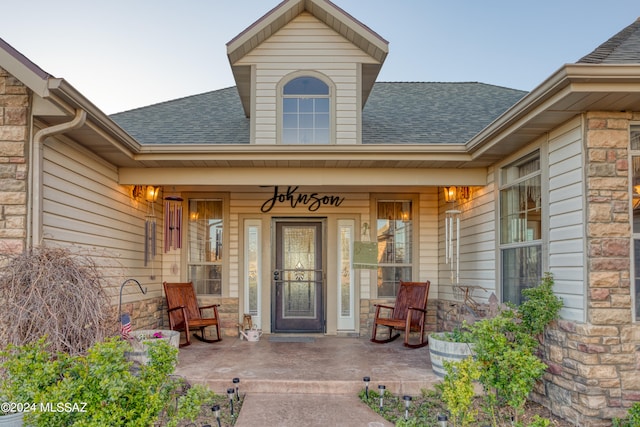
x: 328, y: 365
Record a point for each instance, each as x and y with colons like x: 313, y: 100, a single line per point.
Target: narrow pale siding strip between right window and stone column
x: 566, y: 218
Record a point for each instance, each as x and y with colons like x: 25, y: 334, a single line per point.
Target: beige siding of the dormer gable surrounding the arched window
x: 311, y: 45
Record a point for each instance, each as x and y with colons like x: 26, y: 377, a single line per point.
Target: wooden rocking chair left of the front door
x: 185, y: 314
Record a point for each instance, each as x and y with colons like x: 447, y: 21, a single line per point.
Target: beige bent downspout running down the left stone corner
x: 34, y: 220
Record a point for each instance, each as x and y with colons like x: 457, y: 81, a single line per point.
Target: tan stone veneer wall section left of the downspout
x: 14, y: 113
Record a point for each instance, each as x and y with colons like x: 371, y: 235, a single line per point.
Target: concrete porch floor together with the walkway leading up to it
x: 307, y: 384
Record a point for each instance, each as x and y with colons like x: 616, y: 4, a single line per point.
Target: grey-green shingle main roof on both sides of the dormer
x: 396, y: 113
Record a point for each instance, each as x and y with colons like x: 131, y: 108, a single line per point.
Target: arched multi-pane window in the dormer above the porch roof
x: 305, y: 111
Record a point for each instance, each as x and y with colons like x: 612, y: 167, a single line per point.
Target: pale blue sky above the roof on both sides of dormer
x: 125, y: 54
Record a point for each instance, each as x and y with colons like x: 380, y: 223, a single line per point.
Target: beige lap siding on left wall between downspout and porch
x: 85, y: 208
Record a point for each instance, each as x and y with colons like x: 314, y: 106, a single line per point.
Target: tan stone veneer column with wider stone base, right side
x: 593, y: 367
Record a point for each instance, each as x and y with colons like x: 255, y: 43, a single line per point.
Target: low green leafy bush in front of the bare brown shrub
x: 100, y: 388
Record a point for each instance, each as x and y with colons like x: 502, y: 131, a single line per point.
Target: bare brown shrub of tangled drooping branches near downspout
x: 54, y: 293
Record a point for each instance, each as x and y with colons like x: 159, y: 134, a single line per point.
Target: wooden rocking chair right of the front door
x: 408, y: 314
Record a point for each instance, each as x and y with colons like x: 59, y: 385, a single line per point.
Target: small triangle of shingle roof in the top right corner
x: 622, y: 48
